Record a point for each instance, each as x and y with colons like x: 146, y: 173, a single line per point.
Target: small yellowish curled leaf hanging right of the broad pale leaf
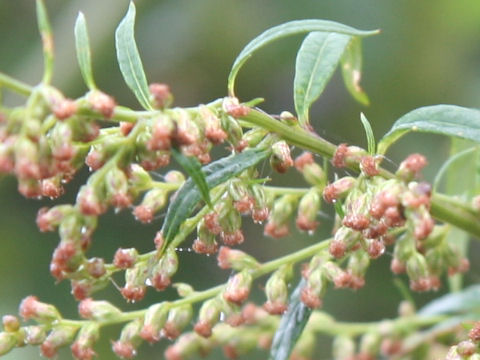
x: 352, y: 70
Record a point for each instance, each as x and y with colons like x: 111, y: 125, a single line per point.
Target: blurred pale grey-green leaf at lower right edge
x: 466, y: 301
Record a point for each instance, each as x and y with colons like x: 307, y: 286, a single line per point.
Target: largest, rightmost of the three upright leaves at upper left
x: 129, y: 58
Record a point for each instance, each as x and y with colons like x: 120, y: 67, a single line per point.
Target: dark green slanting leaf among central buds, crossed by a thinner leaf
x: 216, y: 173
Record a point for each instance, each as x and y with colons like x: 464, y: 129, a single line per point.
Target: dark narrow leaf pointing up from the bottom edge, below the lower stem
x: 291, y: 326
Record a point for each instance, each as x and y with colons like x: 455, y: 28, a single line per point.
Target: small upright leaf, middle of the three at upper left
x: 82, y: 45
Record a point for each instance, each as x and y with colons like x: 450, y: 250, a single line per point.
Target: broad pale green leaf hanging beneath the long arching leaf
x: 316, y: 62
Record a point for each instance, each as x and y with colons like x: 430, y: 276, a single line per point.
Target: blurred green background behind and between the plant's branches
x: 428, y: 53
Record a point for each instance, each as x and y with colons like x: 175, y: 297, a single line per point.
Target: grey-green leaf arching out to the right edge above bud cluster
x: 450, y: 120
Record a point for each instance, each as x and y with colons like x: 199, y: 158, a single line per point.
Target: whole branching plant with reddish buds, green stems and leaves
x: 46, y: 141
